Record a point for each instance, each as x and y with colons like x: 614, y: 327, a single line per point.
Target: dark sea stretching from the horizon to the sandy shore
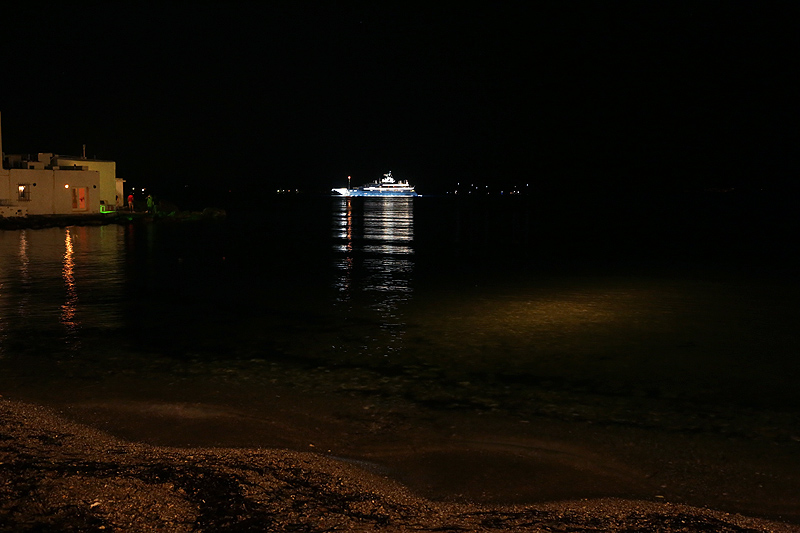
x: 676, y: 314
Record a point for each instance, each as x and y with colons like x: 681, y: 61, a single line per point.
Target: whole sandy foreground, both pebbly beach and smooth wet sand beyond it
x: 461, y: 472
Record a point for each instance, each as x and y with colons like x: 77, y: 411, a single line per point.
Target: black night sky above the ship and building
x: 564, y: 96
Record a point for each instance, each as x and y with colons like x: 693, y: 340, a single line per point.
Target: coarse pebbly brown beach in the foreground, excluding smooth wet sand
x: 57, y: 473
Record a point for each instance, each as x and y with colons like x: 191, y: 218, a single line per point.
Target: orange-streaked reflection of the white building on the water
x: 57, y: 282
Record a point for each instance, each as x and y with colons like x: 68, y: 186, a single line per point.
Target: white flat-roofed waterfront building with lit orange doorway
x: 50, y: 184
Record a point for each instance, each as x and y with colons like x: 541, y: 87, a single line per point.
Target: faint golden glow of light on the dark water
x: 539, y: 327
